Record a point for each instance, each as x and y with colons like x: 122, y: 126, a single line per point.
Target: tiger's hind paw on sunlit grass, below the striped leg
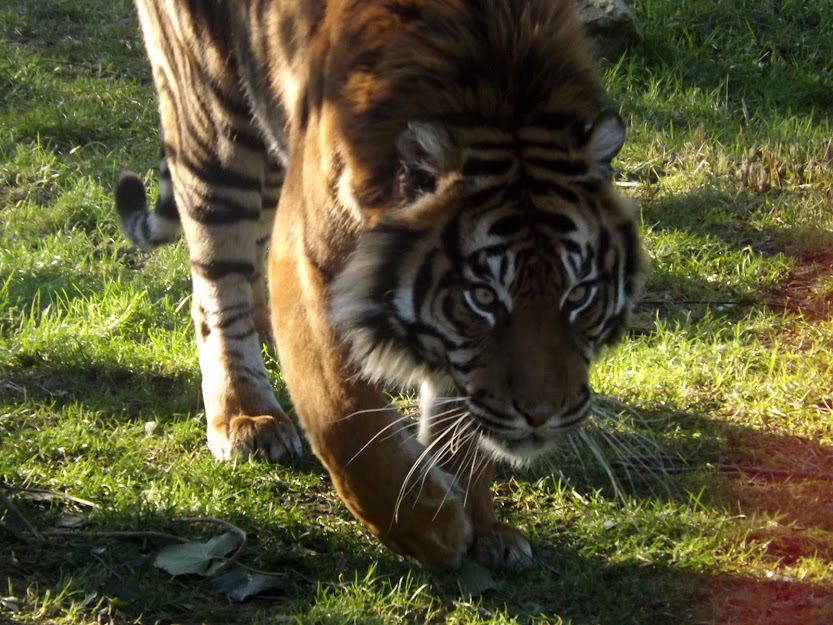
x: 267, y: 437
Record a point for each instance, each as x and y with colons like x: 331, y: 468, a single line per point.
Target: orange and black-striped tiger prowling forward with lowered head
x: 427, y: 187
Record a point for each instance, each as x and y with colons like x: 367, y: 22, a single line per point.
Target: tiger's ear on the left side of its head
x: 426, y: 151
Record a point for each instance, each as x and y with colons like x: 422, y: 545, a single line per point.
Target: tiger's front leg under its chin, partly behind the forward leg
x: 495, y: 544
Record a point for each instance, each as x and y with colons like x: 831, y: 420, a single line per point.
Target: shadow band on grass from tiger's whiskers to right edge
x: 687, y: 458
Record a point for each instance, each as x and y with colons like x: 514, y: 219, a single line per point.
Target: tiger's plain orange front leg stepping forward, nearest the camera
x: 376, y: 465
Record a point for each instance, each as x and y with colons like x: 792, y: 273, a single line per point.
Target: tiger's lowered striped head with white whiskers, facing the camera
x: 507, y: 262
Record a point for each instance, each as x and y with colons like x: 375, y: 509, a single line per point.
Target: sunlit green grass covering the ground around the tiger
x: 728, y: 369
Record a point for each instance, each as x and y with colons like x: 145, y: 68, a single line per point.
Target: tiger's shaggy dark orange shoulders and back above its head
x: 367, y: 69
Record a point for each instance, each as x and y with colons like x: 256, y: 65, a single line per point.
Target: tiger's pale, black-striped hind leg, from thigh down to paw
x: 219, y: 171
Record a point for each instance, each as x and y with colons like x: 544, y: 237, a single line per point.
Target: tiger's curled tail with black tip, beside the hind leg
x: 143, y: 227
